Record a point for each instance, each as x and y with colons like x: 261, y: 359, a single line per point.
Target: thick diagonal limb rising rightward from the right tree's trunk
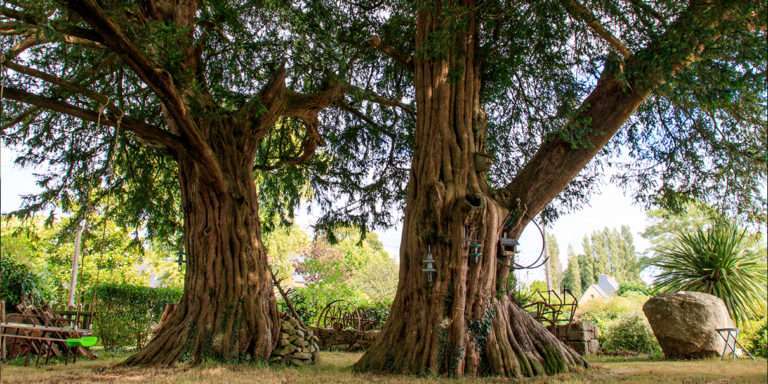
x: 614, y: 99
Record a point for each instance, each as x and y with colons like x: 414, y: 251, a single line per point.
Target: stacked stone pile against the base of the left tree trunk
x: 297, y: 345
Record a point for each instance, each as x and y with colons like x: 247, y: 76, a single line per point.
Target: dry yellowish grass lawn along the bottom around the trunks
x: 335, y: 367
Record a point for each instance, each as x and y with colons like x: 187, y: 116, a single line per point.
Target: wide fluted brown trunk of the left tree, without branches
x: 228, y: 310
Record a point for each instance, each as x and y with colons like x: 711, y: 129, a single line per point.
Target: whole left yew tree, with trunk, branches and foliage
x: 161, y: 114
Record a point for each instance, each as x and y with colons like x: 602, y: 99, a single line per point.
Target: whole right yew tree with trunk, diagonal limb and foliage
x: 553, y: 81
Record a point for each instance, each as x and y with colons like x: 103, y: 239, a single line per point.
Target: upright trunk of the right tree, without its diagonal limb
x: 462, y: 323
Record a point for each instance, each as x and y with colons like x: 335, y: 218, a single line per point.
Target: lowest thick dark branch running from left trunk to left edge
x: 151, y: 134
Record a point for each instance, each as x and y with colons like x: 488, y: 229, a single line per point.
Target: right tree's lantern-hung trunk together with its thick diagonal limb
x: 462, y: 323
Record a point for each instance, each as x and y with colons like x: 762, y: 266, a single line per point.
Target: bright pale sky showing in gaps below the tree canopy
x: 609, y: 208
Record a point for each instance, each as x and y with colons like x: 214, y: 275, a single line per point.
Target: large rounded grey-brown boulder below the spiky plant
x: 685, y: 324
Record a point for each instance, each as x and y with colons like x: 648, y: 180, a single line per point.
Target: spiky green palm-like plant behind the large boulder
x: 717, y: 260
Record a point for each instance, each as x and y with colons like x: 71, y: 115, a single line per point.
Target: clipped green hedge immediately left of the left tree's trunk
x: 125, y: 314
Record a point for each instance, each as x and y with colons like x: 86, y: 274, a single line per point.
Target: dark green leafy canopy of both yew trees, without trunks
x: 701, y: 135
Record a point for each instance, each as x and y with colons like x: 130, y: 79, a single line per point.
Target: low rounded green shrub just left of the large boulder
x: 631, y: 333
